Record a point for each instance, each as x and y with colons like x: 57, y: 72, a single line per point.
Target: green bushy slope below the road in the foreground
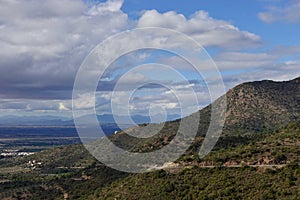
x: 199, y: 183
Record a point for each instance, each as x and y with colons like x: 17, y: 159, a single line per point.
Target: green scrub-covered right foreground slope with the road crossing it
x: 224, y: 174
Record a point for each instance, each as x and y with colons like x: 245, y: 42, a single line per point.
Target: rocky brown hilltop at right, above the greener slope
x: 262, y: 105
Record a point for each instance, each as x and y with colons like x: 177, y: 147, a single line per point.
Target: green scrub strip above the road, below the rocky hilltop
x: 274, y: 148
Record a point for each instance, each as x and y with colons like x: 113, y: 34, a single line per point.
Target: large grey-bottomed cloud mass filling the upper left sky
x: 43, y: 44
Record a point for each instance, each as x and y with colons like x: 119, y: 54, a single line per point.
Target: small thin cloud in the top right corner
x: 290, y: 12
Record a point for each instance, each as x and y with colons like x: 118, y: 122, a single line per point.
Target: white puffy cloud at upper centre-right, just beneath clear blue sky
x: 203, y: 28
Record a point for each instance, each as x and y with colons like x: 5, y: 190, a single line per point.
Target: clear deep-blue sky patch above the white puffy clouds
x: 243, y: 14
